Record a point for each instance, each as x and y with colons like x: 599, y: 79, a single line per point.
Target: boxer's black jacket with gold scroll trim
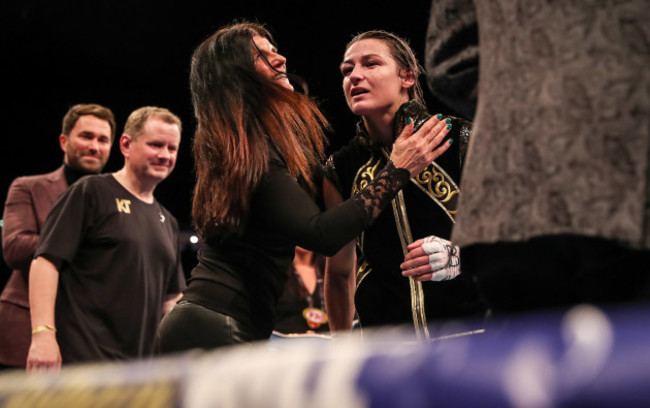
x: 426, y: 206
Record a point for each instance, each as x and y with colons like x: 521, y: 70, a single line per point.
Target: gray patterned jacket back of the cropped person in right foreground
x: 561, y: 141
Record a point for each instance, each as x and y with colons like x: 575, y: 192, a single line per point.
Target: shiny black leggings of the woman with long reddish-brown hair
x: 190, y: 326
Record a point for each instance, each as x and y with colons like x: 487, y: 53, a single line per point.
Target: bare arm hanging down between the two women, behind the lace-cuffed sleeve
x: 339, y: 277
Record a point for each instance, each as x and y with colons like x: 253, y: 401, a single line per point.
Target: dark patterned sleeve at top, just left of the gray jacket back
x: 451, y: 55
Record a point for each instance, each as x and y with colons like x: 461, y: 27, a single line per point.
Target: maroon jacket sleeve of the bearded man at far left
x: 20, y: 229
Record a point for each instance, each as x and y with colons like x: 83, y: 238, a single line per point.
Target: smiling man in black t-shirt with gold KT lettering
x: 108, y: 263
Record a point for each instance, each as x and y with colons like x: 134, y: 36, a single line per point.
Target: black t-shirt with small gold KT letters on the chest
x: 118, y: 259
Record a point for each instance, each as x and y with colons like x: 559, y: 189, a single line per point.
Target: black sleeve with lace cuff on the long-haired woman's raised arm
x: 290, y: 210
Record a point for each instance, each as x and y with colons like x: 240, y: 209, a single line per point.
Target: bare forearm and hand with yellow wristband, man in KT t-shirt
x: 44, y: 353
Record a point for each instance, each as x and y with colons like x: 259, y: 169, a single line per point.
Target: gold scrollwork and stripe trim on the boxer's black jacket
x: 441, y: 189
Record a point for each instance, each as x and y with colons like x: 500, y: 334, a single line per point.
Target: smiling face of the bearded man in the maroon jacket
x: 88, y: 145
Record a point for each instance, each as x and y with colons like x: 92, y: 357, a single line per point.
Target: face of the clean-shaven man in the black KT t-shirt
x: 152, y: 155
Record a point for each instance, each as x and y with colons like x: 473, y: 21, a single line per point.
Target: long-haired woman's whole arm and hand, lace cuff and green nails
x: 291, y: 212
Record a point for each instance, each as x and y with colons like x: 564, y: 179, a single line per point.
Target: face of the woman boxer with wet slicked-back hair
x: 372, y: 81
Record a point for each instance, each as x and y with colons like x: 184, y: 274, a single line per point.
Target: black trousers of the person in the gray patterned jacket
x: 557, y: 271
